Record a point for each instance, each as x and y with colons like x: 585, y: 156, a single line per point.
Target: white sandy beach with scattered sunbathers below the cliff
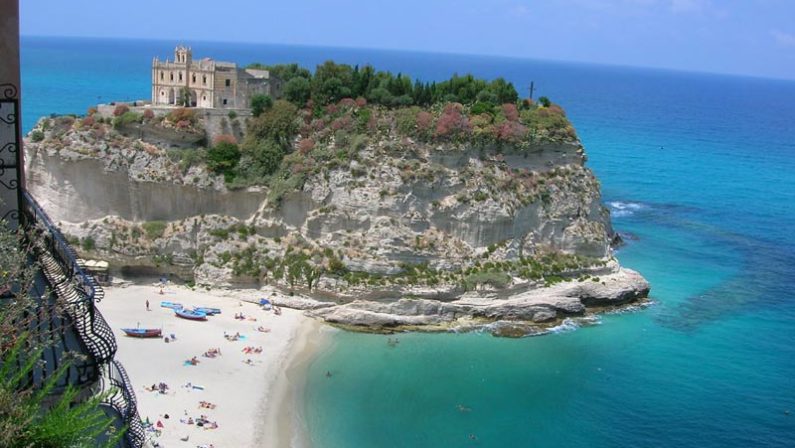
x: 240, y: 392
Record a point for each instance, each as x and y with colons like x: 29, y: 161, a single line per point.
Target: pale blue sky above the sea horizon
x: 745, y: 37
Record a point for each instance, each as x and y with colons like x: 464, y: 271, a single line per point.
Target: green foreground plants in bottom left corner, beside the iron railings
x: 35, y: 416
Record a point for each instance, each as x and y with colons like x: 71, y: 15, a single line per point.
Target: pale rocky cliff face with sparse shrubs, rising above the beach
x: 361, y: 216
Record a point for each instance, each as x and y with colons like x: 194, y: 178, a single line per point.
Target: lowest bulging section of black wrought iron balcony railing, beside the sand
x: 122, y: 400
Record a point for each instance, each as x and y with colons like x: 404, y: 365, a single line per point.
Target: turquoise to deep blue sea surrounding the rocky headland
x: 699, y: 173
